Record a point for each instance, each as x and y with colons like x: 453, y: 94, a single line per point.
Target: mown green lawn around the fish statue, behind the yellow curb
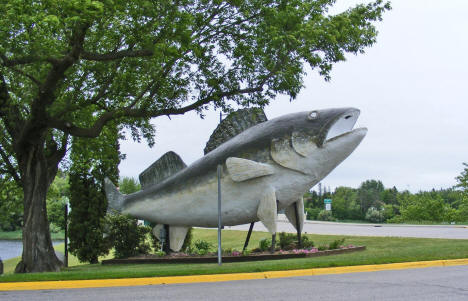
x: 379, y: 250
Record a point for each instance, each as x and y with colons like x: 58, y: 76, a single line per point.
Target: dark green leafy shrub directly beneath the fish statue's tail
x: 127, y: 237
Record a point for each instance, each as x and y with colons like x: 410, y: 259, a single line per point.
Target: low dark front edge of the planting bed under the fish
x: 214, y: 259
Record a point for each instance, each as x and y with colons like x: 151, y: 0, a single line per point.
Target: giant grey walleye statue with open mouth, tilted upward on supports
x: 267, y: 166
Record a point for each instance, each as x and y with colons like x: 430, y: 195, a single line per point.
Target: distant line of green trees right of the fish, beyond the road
x: 375, y: 203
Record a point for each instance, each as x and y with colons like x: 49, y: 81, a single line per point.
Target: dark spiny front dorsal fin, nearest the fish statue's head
x: 234, y: 124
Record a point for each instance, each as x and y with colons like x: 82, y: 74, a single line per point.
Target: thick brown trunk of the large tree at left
x: 38, y: 252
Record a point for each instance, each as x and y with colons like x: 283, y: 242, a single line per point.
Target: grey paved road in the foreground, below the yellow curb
x: 440, y: 283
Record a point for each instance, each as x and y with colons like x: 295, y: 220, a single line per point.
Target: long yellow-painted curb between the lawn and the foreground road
x: 69, y: 284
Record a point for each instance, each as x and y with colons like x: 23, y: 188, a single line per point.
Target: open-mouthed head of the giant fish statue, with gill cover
x: 318, y: 141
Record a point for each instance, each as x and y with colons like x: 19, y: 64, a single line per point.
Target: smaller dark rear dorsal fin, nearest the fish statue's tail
x: 164, y: 167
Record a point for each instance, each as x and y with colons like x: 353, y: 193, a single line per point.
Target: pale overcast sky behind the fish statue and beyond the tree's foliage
x: 411, y: 88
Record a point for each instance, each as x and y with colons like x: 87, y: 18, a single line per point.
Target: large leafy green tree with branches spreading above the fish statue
x: 67, y: 68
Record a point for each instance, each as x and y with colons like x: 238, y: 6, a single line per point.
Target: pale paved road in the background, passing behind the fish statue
x: 316, y: 227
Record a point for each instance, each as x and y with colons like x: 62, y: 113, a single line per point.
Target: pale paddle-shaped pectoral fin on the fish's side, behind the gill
x: 242, y: 169
